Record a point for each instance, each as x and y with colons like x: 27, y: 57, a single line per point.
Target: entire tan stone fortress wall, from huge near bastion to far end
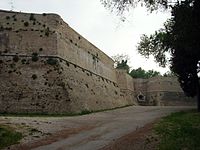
x: 47, y: 67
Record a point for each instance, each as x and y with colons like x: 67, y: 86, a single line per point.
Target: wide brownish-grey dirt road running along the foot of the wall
x: 90, y: 132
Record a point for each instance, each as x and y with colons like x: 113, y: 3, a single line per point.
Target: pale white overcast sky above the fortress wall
x: 99, y: 26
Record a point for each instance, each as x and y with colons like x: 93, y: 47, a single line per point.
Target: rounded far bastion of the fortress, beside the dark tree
x: 166, y: 91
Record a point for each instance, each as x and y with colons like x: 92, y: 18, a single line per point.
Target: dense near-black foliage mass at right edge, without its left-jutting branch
x: 185, y: 45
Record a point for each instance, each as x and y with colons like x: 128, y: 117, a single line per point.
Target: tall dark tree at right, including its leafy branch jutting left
x: 180, y: 38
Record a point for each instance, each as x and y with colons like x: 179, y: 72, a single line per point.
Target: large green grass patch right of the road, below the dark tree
x: 179, y: 131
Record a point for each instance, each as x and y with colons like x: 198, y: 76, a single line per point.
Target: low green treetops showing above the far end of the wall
x: 141, y: 73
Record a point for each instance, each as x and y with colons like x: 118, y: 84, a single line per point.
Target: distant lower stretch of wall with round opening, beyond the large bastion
x: 154, y: 91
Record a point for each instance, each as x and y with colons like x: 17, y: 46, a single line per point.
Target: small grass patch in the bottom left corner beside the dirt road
x: 8, y: 136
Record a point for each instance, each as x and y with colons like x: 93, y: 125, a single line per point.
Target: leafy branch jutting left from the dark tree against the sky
x: 157, y: 44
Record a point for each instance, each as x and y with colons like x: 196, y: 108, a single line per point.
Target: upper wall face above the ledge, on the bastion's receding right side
x: 78, y: 50
